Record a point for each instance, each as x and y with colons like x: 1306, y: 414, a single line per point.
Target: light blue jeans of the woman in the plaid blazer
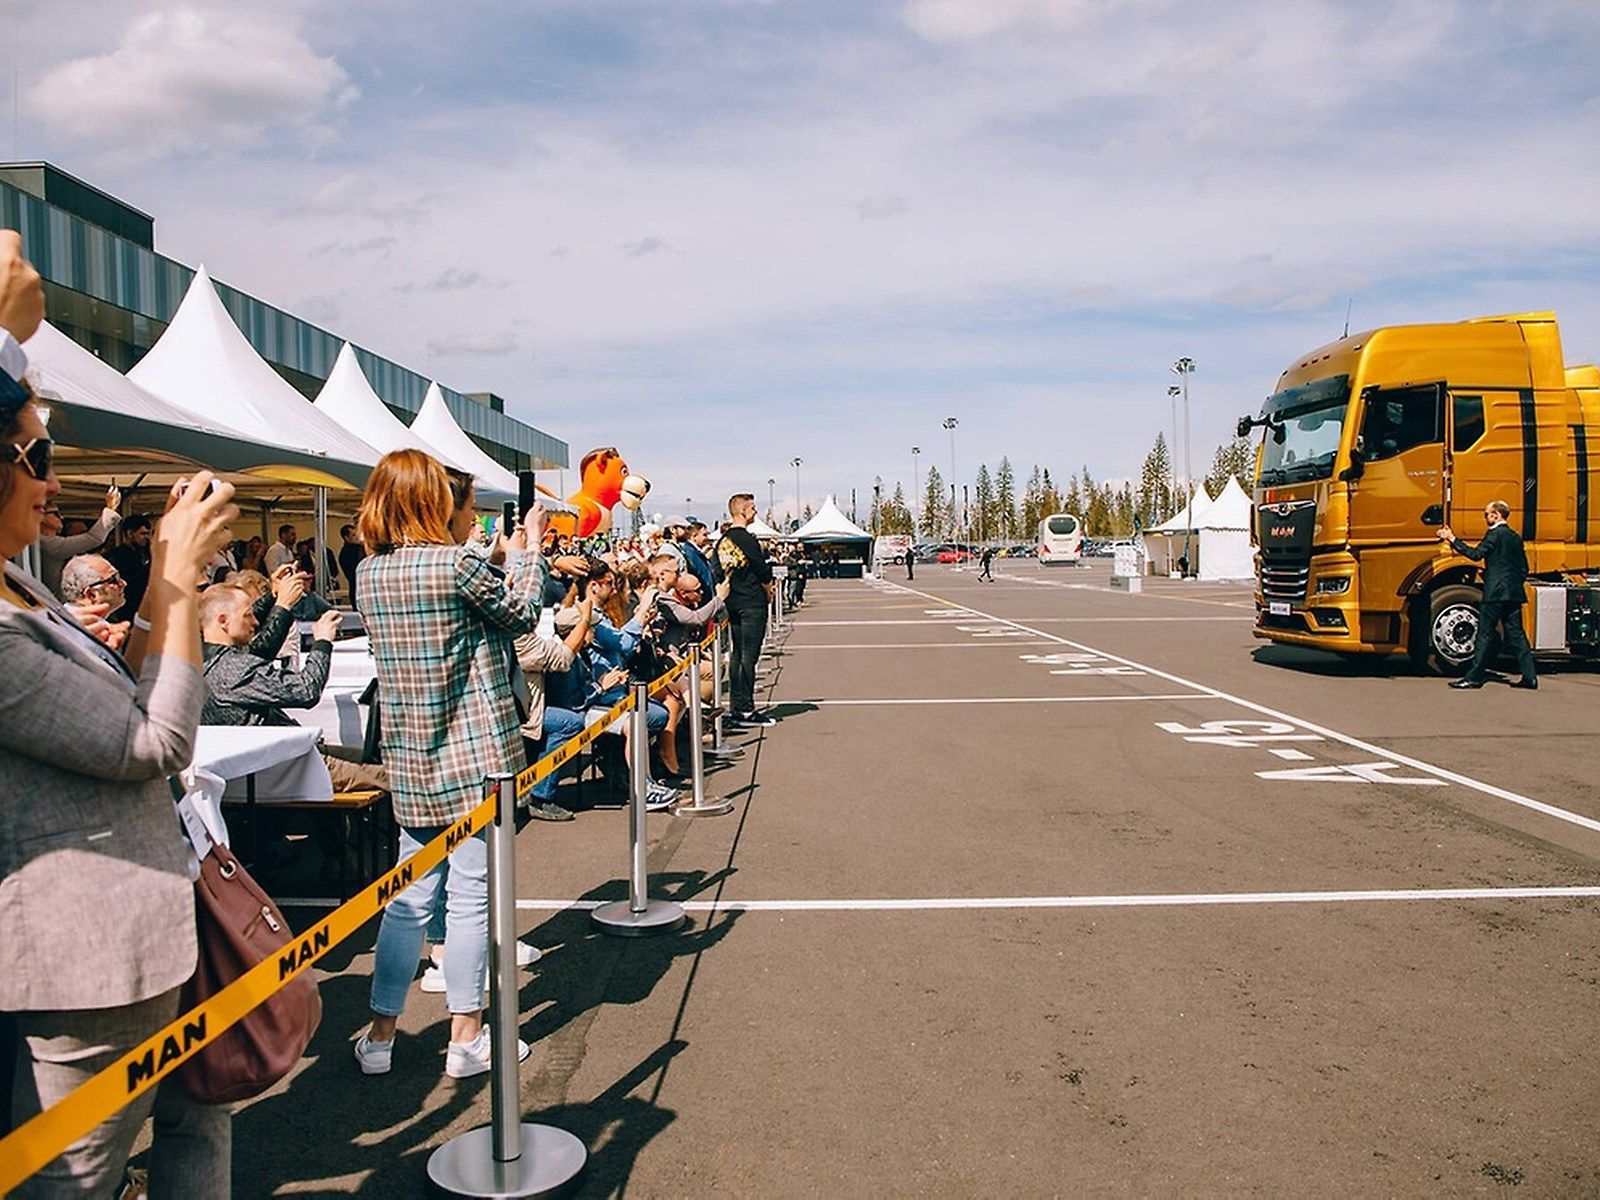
x: 466, y: 900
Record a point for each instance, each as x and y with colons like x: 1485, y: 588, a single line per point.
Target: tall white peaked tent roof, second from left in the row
x: 210, y: 370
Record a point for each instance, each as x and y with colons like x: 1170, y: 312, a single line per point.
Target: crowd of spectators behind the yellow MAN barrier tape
x: 490, y: 652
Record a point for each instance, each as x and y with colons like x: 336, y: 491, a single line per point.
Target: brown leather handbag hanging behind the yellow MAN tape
x: 239, y: 926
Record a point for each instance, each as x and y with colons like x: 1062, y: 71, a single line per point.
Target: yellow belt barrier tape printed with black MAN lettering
x: 28, y: 1148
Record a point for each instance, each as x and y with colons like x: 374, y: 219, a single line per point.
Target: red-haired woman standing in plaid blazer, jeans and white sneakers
x: 442, y: 626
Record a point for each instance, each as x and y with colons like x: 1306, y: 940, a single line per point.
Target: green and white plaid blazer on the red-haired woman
x: 442, y: 626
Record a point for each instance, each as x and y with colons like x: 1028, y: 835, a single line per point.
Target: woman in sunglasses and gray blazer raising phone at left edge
x: 97, y: 894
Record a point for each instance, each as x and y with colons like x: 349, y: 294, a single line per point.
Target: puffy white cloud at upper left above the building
x: 186, y: 81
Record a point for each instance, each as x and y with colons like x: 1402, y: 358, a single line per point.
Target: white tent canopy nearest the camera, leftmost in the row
x: 111, y: 428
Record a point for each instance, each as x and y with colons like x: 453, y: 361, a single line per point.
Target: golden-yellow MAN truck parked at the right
x: 1370, y: 444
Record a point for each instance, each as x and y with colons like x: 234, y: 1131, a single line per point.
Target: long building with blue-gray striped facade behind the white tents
x: 111, y: 292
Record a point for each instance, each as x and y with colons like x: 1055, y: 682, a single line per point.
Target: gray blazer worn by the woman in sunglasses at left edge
x: 97, y: 898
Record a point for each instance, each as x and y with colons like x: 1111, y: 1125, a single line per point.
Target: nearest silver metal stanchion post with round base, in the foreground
x: 508, y: 1158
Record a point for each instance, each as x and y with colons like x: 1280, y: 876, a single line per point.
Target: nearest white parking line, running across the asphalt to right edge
x: 1135, y: 902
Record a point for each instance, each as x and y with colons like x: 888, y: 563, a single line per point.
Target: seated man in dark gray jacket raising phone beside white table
x: 244, y: 689
